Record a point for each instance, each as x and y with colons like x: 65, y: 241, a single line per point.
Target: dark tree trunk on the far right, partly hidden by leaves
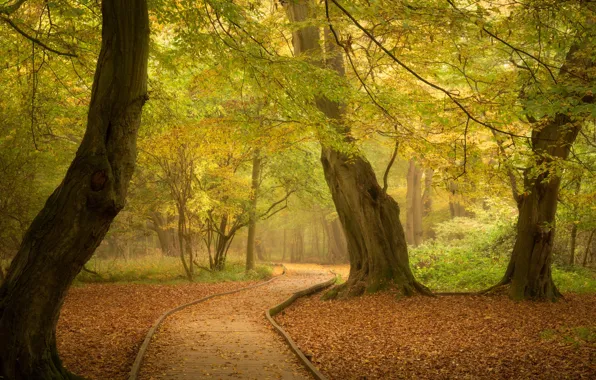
x: 529, y: 269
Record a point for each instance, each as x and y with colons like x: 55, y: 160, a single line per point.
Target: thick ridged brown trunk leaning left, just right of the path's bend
x: 370, y: 218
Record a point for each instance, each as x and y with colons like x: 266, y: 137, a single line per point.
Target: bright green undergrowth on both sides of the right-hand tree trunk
x: 472, y: 254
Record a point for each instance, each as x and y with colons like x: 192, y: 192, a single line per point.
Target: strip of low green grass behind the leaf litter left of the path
x: 161, y: 269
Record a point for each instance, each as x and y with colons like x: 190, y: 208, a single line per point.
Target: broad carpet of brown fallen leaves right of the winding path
x: 381, y: 336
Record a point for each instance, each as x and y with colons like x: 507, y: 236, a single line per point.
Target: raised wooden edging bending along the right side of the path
x: 269, y: 314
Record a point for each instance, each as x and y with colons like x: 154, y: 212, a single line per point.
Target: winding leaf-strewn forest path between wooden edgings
x: 228, y: 337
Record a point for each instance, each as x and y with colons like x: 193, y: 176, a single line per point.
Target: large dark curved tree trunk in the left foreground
x: 76, y: 217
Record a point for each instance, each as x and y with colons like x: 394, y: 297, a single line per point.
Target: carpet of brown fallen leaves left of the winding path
x: 102, y: 326
